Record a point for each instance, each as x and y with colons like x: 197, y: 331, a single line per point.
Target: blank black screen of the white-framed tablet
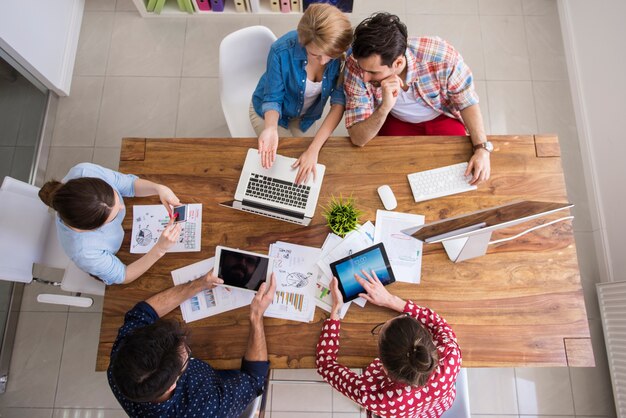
x: 242, y: 269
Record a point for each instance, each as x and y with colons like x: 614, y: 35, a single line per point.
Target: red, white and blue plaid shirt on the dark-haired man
x: 439, y: 76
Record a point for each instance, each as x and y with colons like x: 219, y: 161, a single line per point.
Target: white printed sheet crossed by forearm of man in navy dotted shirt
x: 209, y: 302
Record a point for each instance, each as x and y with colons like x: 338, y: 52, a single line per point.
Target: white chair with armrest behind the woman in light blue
x: 28, y: 236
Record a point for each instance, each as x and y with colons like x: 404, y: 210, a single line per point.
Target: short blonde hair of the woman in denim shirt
x: 326, y: 27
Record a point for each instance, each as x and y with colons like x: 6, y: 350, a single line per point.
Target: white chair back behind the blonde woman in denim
x: 243, y: 58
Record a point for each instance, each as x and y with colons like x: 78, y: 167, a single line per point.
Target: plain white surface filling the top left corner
x: 42, y: 35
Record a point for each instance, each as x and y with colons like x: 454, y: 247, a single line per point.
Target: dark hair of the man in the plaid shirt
x: 382, y: 34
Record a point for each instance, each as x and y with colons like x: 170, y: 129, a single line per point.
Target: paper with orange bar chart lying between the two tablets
x: 296, y: 278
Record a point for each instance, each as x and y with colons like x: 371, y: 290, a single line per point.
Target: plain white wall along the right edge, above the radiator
x: 594, y: 33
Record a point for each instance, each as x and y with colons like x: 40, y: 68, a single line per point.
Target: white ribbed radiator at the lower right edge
x: 612, y: 300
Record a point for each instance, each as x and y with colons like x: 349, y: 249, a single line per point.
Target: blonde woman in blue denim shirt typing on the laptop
x: 304, y: 70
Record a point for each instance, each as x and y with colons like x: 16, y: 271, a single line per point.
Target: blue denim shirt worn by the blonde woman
x: 282, y: 86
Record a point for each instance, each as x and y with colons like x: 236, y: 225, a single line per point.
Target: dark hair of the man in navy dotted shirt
x: 149, y: 360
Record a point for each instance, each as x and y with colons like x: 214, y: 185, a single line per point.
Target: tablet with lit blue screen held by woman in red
x: 372, y: 258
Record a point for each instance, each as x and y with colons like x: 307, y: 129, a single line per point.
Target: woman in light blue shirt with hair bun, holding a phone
x: 90, y: 210
